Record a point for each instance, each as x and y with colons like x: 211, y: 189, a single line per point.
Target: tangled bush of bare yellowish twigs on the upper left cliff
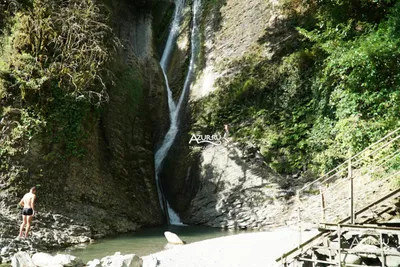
x: 68, y: 41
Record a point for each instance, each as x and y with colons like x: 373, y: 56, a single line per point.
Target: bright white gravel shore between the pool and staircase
x: 244, y: 250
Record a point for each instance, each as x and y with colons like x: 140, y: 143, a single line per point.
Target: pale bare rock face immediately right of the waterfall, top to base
x: 225, y: 186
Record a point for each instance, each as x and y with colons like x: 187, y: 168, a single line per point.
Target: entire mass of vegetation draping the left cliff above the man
x: 57, y: 60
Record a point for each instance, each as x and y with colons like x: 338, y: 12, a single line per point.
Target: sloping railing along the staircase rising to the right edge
x: 375, y: 159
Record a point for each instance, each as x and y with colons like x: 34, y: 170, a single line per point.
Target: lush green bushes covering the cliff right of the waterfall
x: 333, y: 94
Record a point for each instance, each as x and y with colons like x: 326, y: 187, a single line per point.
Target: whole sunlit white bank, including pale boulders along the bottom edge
x: 247, y: 249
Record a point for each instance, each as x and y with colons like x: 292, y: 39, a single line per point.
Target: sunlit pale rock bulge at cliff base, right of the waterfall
x: 237, y: 191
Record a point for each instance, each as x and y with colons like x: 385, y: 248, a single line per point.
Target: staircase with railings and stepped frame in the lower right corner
x: 361, y: 191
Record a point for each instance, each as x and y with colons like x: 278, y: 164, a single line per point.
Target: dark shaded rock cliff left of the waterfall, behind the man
x: 109, y: 185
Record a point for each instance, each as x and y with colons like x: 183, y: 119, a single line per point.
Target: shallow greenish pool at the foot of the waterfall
x: 144, y: 242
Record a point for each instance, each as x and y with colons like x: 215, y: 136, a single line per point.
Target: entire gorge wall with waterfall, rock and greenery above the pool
x: 100, y: 100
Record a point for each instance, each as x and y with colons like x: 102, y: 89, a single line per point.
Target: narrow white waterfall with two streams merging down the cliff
x: 174, y: 110
